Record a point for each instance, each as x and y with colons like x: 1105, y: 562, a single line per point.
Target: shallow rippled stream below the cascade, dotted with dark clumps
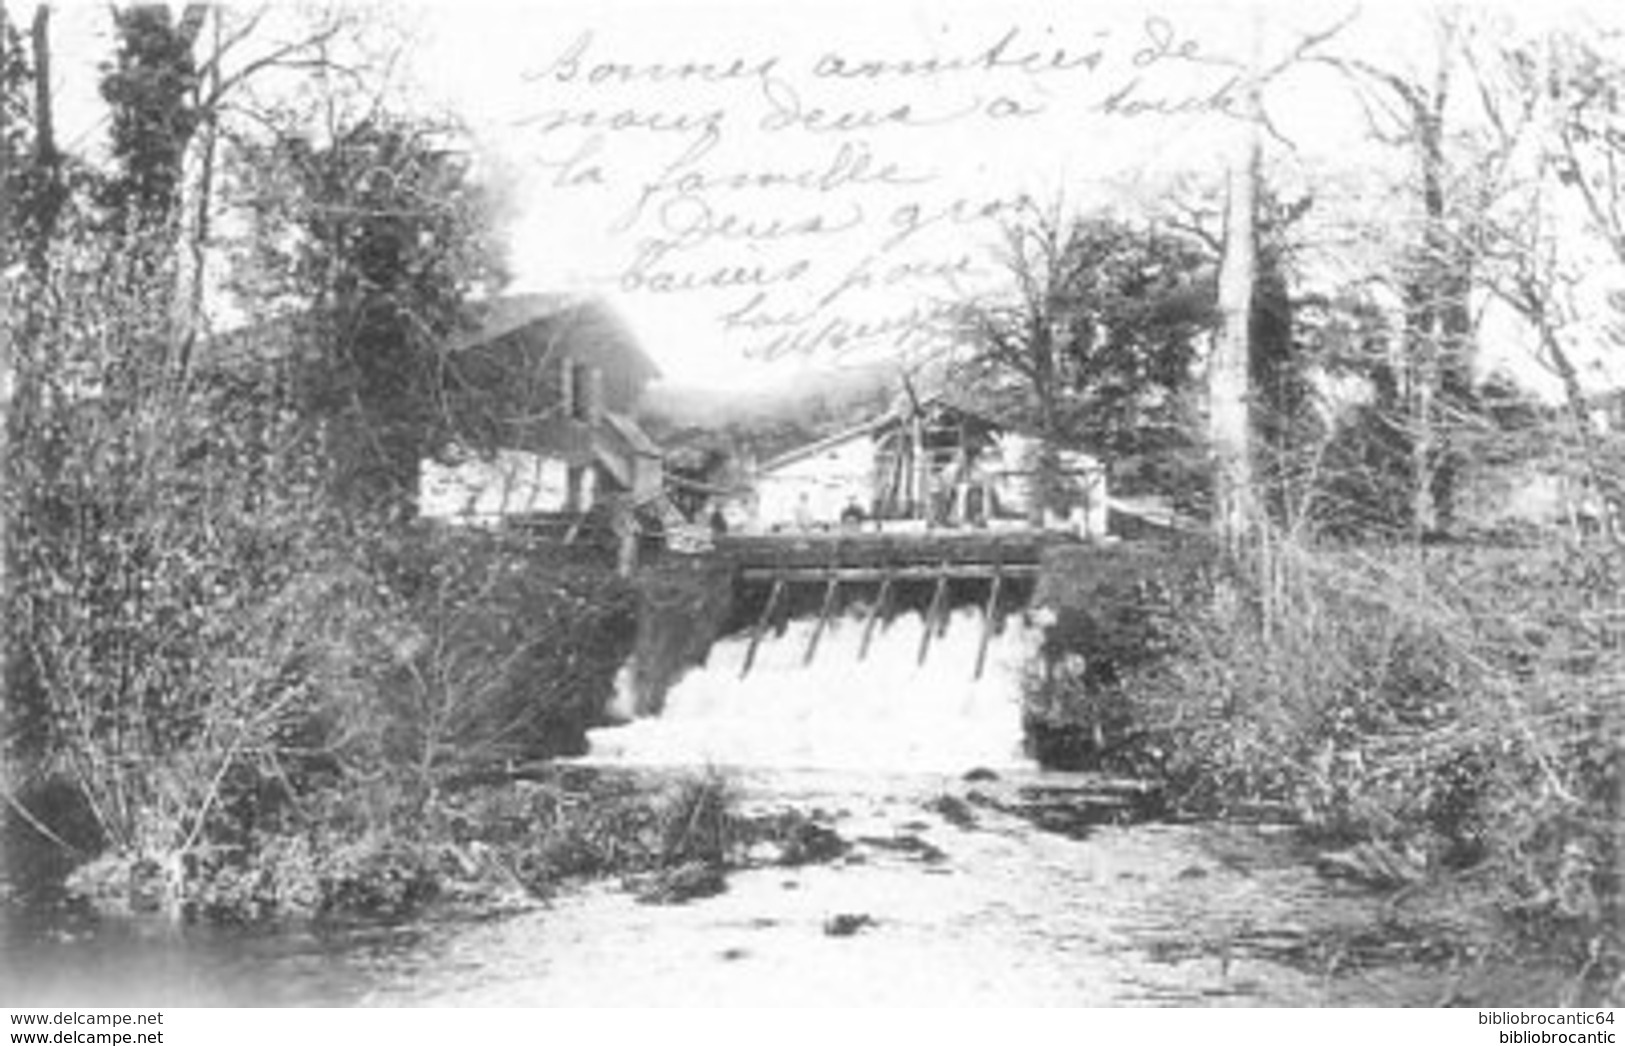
x: 841, y: 889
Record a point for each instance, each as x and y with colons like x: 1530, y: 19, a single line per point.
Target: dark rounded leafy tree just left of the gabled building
x: 379, y: 238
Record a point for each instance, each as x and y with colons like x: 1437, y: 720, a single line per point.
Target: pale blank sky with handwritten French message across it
x: 771, y: 189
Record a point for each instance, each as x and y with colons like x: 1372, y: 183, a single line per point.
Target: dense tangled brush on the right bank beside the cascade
x: 1442, y: 711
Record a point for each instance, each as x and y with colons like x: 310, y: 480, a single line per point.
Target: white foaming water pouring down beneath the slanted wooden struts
x: 885, y: 714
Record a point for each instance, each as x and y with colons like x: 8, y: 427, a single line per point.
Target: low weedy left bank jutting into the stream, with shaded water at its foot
x: 487, y: 850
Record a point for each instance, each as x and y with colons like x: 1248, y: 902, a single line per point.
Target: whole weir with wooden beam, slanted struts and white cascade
x: 859, y: 651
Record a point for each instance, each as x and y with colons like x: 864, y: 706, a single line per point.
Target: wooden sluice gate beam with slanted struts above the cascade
x: 886, y: 564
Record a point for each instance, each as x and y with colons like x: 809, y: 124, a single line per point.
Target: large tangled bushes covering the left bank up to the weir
x: 204, y: 649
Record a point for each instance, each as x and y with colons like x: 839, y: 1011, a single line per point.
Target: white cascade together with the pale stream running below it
x: 971, y: 878
